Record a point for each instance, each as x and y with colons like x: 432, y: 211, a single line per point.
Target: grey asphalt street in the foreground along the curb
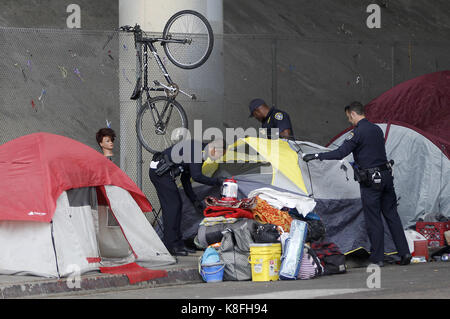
x: 417, y: 281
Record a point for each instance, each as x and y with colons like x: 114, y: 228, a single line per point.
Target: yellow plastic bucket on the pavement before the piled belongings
x: 266, y: 261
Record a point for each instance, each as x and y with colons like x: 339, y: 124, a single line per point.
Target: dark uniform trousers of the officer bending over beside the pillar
x: 171, y: 206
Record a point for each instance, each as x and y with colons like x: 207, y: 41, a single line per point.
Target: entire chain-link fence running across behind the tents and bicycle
x: 73, y: 82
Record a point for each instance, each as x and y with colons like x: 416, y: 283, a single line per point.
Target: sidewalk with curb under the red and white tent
x: 183, y: 272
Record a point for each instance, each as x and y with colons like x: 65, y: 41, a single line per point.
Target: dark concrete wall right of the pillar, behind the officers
x: 311, y: 58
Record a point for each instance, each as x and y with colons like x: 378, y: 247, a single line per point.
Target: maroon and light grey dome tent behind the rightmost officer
x: 415, y: 117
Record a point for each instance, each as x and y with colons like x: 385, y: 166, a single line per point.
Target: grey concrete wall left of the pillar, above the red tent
x: 55, y: 79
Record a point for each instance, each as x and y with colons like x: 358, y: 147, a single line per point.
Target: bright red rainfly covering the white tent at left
x: 35, y: 169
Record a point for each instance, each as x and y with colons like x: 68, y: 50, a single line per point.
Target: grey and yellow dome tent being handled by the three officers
x: 337, y: 195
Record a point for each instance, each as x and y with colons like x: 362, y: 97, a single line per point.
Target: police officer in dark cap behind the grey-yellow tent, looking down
x: 271, y: 118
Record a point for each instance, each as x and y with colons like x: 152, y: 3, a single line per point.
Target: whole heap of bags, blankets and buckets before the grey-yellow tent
x: 236, y: 227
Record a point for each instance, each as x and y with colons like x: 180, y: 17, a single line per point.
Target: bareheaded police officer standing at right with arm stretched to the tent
x: 374, y: 174
